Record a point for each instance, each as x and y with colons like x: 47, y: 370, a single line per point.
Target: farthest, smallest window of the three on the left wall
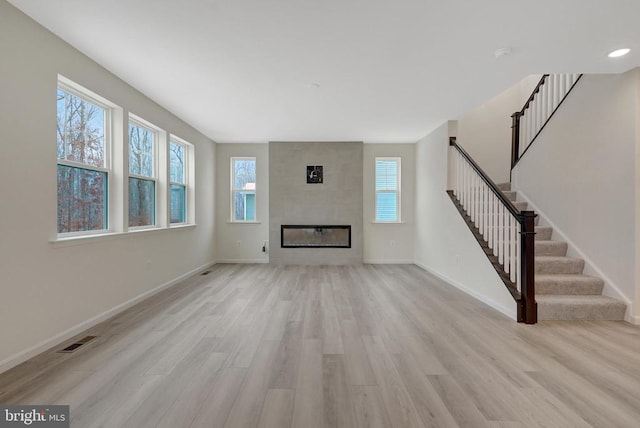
x: 177, y: 181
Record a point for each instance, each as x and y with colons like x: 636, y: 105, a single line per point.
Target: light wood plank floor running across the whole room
x: 355, y: 346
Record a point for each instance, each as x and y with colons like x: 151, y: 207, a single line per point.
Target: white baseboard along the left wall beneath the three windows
x: 59, y: 338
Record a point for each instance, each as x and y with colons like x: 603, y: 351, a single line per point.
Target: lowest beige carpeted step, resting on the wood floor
x: 574, y: 307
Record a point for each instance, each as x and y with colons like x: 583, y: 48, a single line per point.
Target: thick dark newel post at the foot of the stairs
x: 528, y: 312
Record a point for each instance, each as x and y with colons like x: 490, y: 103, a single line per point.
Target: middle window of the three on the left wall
x: 142, y: 174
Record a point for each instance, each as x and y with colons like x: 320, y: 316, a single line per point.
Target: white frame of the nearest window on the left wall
x: 85, y: 94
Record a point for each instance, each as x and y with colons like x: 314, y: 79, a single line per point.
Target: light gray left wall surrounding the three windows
x: 39, y: 307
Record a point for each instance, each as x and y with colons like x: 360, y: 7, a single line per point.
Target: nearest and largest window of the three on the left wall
x: 83, y: 146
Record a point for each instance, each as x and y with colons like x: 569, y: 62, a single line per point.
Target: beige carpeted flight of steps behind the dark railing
x: 562, y: 291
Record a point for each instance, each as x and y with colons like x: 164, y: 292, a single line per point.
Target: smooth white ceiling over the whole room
x: 337, y: 70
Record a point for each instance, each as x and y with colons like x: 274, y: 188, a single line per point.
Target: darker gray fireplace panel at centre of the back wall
x: 338, y: 200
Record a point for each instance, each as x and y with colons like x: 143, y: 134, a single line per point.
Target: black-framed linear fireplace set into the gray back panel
x: 315, y: 236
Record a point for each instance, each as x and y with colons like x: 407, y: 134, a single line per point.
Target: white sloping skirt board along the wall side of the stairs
x: 590, y: 268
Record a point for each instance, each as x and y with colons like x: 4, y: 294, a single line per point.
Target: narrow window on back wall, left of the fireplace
x: 243, y: 189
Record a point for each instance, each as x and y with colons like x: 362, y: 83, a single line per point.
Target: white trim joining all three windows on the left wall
x: 116, y: 169
